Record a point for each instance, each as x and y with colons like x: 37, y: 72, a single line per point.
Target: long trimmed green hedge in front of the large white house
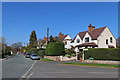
x: 103, y: 54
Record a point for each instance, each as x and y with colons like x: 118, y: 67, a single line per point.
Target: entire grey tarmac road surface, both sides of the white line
x: 19, y: 66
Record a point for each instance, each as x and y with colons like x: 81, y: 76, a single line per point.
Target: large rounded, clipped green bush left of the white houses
x: 54, y: 49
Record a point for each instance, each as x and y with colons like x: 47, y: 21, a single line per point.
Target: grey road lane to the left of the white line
x: 16, y: 66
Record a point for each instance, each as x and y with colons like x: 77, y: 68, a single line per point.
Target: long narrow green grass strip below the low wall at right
x: 94, y: 65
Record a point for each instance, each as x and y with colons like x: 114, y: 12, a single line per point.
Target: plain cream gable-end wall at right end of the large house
x: 106, y: 34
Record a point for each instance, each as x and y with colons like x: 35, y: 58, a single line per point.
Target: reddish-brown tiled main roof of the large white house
x: 94, y: 33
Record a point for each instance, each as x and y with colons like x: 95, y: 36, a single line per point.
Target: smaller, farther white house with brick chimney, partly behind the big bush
x: 66, y: 39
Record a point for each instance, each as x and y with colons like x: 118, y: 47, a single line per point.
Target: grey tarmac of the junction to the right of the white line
x: 54, y: 70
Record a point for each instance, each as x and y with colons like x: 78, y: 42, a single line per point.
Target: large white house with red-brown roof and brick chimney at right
x: 94, y: 38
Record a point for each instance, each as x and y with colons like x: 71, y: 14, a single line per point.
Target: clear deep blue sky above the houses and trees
x: 19, y: 19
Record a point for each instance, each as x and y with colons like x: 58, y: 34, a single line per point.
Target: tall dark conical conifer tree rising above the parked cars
x: 33, y: 40
